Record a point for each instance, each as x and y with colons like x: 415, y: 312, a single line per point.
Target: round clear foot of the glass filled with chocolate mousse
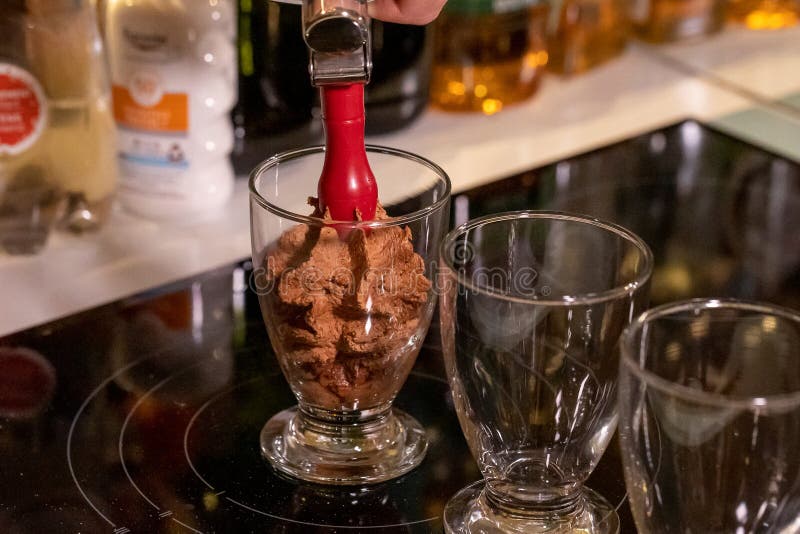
x: 352, y: 449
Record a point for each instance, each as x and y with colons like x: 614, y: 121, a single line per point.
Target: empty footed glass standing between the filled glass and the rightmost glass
x: 532, y: 306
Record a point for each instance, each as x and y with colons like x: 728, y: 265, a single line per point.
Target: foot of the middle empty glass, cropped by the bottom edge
x: 470, y: 512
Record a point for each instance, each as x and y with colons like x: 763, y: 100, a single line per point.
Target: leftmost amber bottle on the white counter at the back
x: 484, y: 62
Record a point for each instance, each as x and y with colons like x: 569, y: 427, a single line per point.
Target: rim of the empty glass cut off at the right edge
x: 629, y: 351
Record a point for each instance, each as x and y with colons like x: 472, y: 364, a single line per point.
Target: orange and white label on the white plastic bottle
x: 154, y: 127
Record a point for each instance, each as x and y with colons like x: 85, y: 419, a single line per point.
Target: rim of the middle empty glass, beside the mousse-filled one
x: 567, y: 300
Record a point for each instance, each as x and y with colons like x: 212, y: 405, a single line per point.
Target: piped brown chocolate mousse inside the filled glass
x: 345, y: 310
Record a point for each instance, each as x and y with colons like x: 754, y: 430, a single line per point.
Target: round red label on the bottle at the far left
x: 23, y: 109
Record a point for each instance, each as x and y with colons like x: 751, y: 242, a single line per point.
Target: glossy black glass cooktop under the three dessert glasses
x: 144, y: 415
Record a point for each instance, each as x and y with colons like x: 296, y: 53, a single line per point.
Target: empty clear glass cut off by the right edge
x: 709, y: 395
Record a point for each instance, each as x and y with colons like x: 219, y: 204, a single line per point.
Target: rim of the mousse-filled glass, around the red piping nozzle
x: 293, y: 154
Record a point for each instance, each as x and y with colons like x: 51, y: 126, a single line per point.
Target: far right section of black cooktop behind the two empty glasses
x: 719, y: 214
